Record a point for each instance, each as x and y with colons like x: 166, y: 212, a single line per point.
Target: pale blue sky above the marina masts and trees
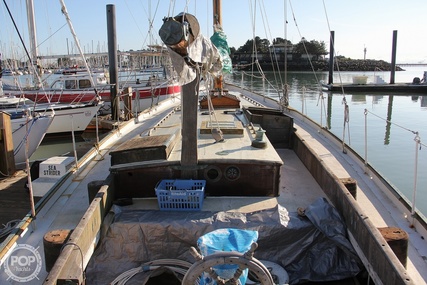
x: 358, y: 25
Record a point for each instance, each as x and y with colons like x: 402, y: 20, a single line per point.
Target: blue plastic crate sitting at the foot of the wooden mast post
x: 180, y: 194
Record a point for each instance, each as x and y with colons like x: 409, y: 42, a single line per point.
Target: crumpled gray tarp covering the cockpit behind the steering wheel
x: 310, y: 248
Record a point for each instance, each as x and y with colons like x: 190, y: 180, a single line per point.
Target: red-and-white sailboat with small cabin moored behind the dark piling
x: 85, y: 86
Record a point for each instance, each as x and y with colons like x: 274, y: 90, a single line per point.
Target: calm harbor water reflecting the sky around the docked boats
x: 391, y: 147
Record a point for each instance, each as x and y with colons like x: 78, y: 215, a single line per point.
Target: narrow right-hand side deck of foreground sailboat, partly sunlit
x: 377, y: 207
